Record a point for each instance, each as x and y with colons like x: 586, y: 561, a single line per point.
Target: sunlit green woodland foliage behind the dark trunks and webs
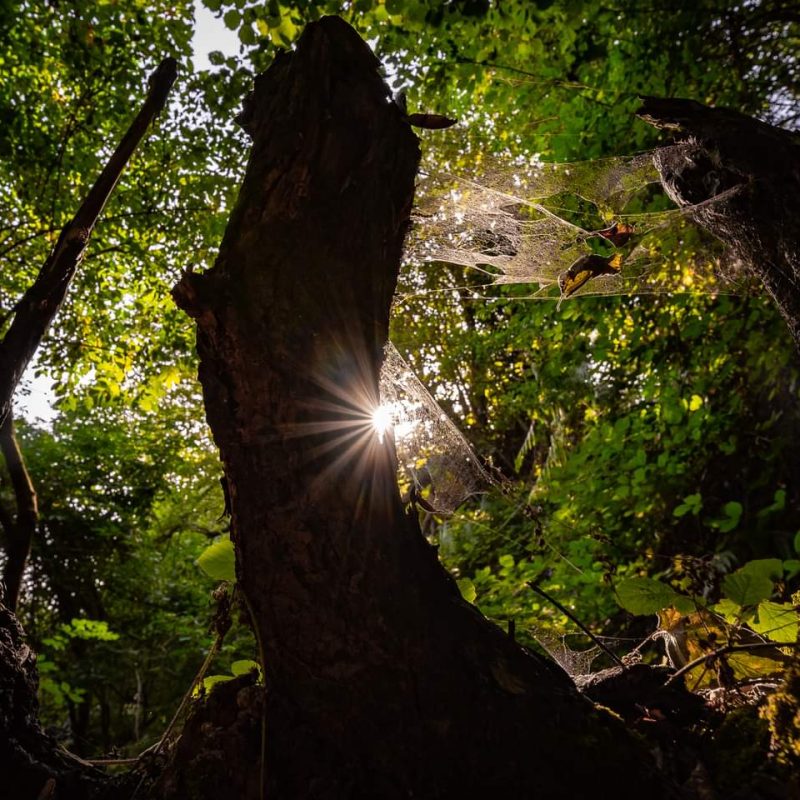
x: 639, y: 435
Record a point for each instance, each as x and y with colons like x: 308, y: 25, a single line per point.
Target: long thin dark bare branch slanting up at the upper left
x: 38, y: 306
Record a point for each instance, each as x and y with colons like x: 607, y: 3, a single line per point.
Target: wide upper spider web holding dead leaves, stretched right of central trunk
x: 525, y: 221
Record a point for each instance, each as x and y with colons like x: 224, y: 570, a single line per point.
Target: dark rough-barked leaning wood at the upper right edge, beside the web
x: 743, y: 176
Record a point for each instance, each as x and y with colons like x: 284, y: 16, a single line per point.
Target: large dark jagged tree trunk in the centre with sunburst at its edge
x: 382, y: 682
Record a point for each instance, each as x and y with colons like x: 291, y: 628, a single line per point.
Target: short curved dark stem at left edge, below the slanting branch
x: 19, y: 534
